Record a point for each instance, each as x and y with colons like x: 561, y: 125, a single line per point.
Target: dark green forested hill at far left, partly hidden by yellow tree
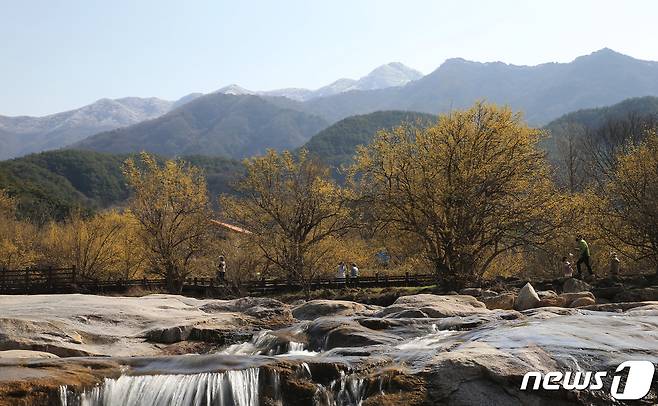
x: 51, y: 184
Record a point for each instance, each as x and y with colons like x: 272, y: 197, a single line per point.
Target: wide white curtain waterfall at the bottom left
x: 239, y: 388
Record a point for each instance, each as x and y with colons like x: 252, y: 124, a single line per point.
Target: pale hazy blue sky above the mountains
x: 57, y: 55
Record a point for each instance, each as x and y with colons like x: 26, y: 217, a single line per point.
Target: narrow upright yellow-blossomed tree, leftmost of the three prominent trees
x: 170, y: 202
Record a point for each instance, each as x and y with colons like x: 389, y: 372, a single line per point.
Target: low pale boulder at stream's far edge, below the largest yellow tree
x: 434, y: 306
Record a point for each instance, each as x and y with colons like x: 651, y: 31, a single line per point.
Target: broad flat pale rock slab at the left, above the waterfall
x: 79, y: 325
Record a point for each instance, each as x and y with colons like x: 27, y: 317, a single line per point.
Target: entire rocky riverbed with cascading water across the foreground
x: 422, y: 349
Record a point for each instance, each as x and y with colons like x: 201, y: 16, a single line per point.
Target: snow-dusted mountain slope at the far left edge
x: 23, y: 135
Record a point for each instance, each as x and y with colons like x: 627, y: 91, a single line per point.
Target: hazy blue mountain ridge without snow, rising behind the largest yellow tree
x: 542, y: 92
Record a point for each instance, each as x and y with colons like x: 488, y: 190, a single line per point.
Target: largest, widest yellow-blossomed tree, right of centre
x: 469, y: 188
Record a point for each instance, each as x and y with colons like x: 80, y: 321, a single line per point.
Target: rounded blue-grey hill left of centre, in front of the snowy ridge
x: 235, y: 126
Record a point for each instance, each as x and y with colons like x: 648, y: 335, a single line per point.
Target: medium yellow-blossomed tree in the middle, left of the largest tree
x: 292, y: 208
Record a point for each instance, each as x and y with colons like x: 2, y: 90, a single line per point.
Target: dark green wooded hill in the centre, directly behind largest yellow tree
x: 337, y: 144
